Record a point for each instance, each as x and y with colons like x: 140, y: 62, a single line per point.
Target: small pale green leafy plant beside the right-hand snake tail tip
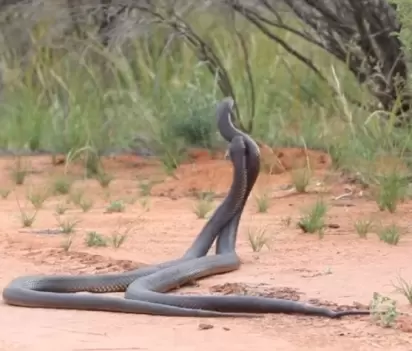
x: 383, y: 310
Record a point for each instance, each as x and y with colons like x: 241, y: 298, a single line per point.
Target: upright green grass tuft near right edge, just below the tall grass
x: 392, y: 189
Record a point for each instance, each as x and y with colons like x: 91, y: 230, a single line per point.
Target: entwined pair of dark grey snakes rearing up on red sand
x: 145, y: 287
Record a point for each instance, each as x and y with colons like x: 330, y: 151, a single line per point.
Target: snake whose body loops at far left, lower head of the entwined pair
x: 59, y: 291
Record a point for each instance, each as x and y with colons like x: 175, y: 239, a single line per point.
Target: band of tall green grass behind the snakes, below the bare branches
x: 79, y: 99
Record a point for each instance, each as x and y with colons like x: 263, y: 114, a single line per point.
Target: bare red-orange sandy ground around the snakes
x: 341, y: 268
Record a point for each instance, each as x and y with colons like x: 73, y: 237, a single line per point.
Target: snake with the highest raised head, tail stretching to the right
x: 151, y: 289
